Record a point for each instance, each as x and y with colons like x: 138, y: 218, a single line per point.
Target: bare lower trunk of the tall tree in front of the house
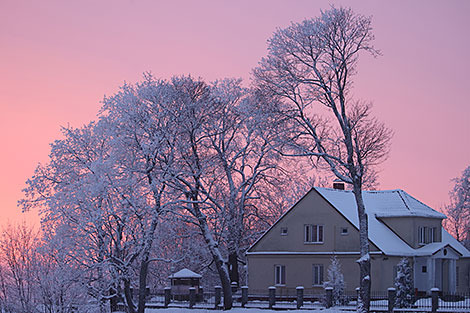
x: 364, y: 261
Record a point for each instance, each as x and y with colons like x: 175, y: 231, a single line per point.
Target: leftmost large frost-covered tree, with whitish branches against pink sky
x: 76, y: 205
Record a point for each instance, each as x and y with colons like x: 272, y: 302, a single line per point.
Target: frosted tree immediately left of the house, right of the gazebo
x: 246, y: 164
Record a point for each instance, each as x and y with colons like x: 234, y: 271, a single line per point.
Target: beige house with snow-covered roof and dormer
x: 297, y: 249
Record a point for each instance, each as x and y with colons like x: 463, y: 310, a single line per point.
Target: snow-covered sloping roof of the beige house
x: 388, y: 203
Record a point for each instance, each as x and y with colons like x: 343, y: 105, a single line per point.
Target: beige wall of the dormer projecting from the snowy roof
x: 402, y: 226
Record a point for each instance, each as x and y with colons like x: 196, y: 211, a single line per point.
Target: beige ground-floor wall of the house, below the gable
x: 299, y: 272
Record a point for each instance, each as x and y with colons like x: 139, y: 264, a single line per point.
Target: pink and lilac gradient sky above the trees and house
x: 59, y: 58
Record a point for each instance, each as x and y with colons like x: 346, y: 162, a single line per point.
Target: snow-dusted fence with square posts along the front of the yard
x: 309, y: 298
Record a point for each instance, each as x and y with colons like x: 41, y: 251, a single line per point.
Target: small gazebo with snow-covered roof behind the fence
x: 181, y: 281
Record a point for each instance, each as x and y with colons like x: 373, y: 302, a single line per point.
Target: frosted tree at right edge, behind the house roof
x: 458, y: 211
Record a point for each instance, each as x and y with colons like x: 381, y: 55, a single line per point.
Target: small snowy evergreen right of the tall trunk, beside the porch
x: 404, y: 284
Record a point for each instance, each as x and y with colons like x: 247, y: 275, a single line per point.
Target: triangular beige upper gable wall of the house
x: 312, y: 209
